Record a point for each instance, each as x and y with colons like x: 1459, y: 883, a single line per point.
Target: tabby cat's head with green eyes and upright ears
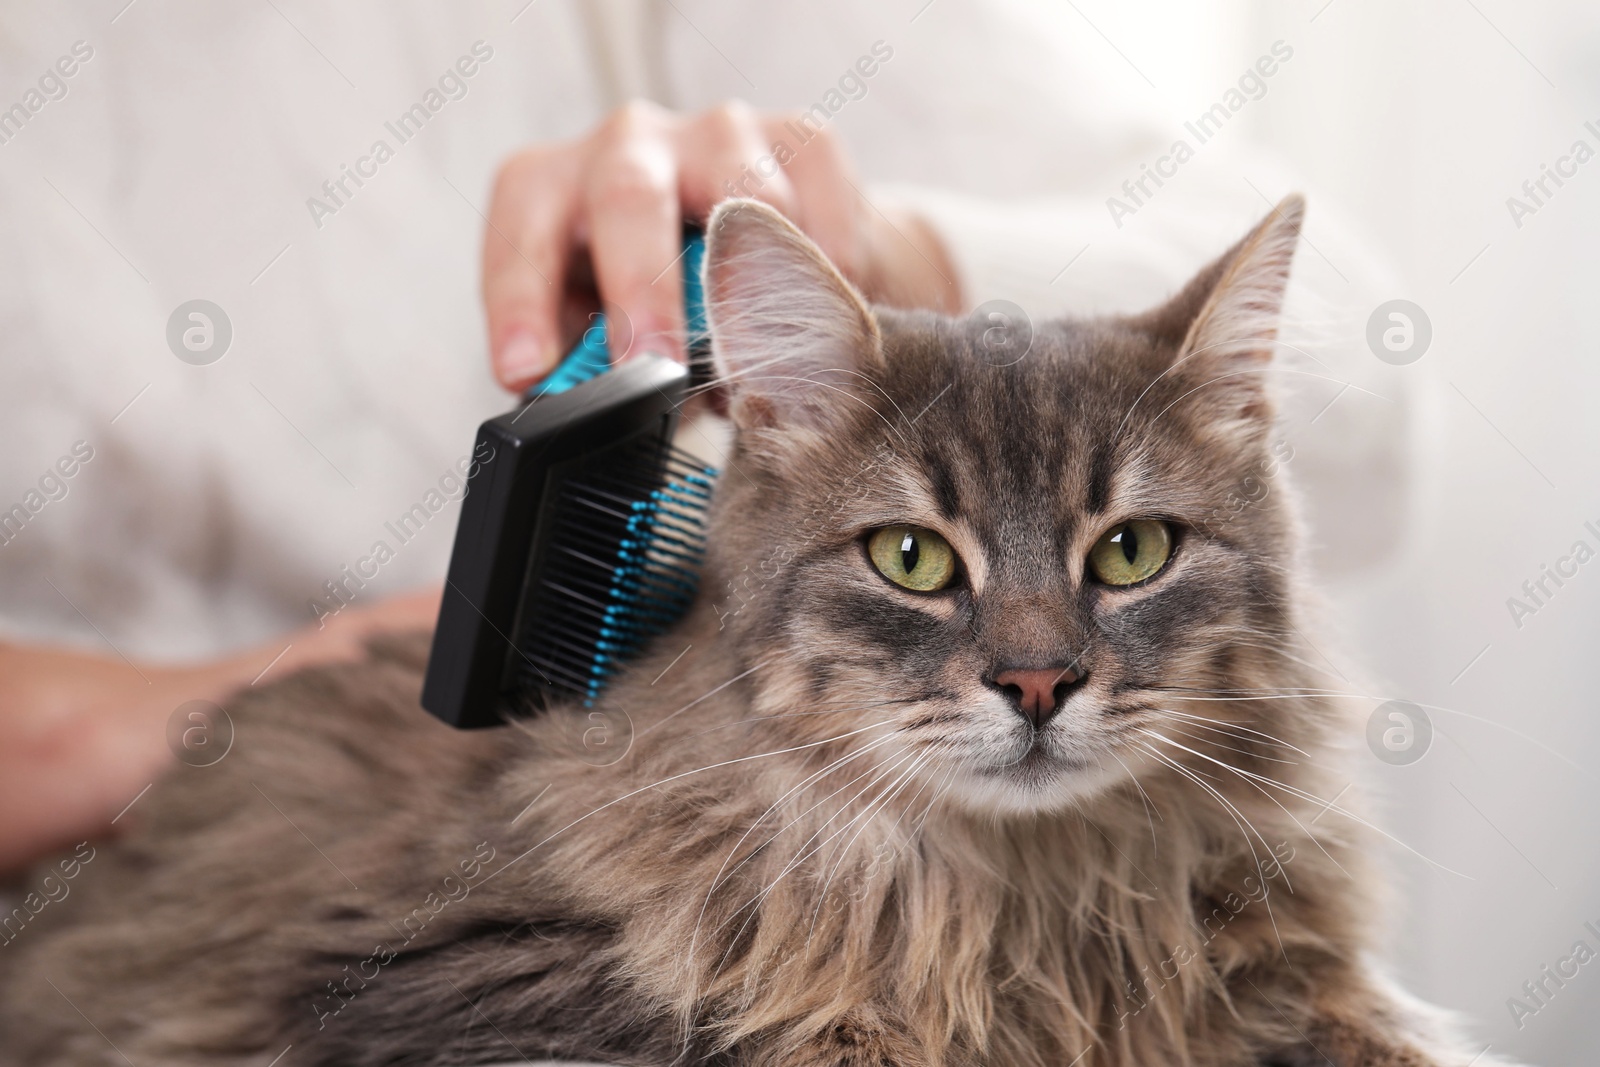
x: 994, y: 565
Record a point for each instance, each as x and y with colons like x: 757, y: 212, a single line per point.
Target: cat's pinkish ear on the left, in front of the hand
x: 793, y: 340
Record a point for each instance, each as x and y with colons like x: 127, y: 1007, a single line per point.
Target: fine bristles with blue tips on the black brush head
x: 623, y: 565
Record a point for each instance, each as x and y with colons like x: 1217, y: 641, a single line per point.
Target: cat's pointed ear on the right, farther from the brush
x: 1226, y: 319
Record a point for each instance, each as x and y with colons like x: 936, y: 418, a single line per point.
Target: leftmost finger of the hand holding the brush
x: 526, y: 249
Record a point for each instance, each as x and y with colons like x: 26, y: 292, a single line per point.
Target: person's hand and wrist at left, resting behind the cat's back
x: 82, y: 735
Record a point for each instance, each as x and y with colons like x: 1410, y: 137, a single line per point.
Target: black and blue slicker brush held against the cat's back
x: 580, y: 537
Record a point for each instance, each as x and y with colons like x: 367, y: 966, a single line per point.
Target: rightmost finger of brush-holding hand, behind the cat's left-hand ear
x: 828, y: 204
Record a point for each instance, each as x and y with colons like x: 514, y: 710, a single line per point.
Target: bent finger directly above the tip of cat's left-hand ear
x: 724, y: 153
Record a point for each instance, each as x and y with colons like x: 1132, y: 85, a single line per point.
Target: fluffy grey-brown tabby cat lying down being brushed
x: 990, y: 740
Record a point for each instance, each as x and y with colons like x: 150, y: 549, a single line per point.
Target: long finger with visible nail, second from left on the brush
x: 634, y: 230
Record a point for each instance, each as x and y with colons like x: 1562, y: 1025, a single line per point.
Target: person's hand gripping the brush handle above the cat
x: 623, y: 193
